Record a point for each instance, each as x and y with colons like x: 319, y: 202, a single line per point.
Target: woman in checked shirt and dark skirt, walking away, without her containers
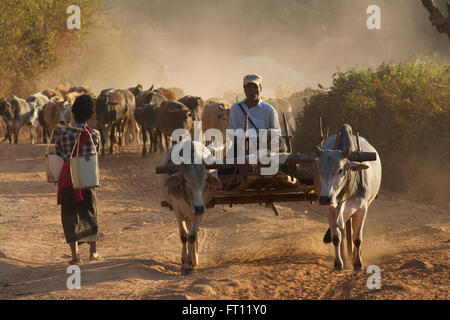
x: 78, y: 206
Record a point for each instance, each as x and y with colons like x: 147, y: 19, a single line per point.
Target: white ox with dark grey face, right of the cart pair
x: 346, y: 197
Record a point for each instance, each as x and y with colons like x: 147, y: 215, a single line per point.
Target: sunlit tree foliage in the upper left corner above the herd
x: 34, y: 39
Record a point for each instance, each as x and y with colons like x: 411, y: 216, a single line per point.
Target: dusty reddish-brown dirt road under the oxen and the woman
x: 246, y: 252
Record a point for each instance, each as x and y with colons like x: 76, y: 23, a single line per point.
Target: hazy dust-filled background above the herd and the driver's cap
x: 207, y: 46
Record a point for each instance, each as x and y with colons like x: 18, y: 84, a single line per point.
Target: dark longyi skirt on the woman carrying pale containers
x: 79, y: 220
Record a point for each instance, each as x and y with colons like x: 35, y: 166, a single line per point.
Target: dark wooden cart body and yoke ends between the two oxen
x: 296, y: 179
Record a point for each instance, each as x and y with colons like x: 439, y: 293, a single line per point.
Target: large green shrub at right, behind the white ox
x: 403, y: 111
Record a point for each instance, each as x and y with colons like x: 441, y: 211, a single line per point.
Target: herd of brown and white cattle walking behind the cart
x: 121, y: 115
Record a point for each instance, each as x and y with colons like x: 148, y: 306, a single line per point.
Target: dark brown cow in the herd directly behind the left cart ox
x: 173, y: 115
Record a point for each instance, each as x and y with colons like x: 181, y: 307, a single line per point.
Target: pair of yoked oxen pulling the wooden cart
x: 346, y: 189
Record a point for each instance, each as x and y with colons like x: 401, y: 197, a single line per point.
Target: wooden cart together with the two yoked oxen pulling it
x: 295, y: 178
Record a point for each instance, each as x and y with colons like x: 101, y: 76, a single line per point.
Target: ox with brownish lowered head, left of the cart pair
x: 187, y: 192
